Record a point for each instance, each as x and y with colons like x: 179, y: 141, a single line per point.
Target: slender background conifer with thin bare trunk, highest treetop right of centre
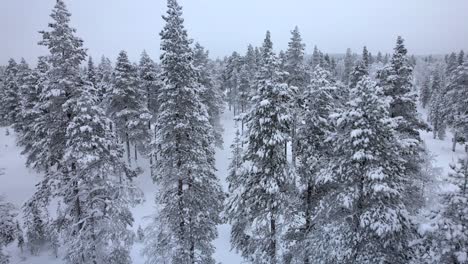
x: 297, y: 78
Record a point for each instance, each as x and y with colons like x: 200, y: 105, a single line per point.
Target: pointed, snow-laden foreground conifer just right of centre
x: 255, y: 207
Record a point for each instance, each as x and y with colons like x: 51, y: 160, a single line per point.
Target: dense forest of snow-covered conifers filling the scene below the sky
x: 327, y: 165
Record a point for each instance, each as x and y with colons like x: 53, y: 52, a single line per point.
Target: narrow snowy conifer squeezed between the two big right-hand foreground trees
x: 318, y: 101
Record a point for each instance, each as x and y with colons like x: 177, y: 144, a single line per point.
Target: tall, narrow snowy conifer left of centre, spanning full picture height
x: 189, y: 197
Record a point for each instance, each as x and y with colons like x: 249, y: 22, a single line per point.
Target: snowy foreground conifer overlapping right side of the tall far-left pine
x: 96, y: 186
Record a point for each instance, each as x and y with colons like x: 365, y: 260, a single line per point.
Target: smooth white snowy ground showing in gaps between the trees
x: 18, y: 185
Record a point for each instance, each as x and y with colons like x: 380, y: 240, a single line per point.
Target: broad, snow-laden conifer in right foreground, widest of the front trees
x: 362, y: 217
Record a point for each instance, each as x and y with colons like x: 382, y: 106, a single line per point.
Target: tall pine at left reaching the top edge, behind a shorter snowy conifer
x: 62, y: 76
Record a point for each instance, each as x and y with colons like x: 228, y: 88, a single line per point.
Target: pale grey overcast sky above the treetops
x: 222, y: 26
